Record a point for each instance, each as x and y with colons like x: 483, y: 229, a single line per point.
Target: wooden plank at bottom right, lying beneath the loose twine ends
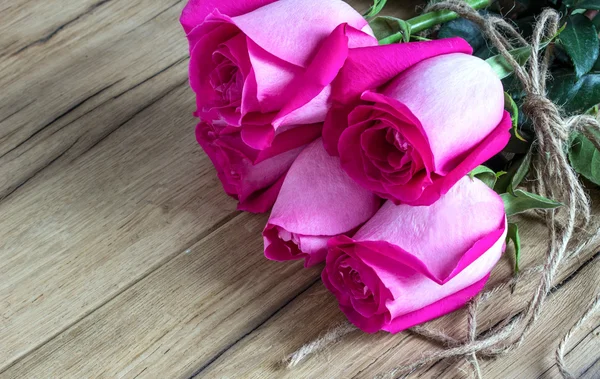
x: 361, y: 355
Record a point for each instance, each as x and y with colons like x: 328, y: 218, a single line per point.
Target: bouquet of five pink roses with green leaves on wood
x: 368, y: 142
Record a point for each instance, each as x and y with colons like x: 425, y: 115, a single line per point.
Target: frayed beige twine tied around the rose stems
x: 554, y: 178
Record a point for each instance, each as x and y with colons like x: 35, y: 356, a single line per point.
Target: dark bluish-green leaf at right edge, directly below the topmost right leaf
x: 575, y: 96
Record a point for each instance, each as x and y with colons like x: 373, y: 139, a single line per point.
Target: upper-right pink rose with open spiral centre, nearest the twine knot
x: 410, y: 120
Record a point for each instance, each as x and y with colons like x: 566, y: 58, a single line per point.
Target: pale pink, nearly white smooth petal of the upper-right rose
x: 457, y: 98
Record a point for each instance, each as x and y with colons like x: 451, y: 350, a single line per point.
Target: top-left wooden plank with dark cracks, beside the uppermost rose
x: 62, y: 96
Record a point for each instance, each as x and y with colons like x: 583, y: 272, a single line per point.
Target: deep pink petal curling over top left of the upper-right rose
x: 371, y: 67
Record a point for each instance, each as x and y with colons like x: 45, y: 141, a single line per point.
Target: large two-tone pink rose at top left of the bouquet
x: 266, y: 66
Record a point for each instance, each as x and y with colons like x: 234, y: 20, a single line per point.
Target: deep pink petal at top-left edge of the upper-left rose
x: 195, y: 11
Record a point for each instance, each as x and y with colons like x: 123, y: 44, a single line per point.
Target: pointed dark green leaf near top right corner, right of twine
x: 580, y: 41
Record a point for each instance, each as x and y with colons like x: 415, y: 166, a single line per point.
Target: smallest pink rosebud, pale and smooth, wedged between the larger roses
x: 317, y: 201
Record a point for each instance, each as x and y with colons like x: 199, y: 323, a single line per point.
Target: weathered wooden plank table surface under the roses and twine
x: 120, y: 255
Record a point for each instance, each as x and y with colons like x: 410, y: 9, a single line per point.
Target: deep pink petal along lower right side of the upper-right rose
x: 489, y: 147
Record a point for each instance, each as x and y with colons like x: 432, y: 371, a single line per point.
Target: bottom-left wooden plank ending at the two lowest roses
x: 181, y: 316
